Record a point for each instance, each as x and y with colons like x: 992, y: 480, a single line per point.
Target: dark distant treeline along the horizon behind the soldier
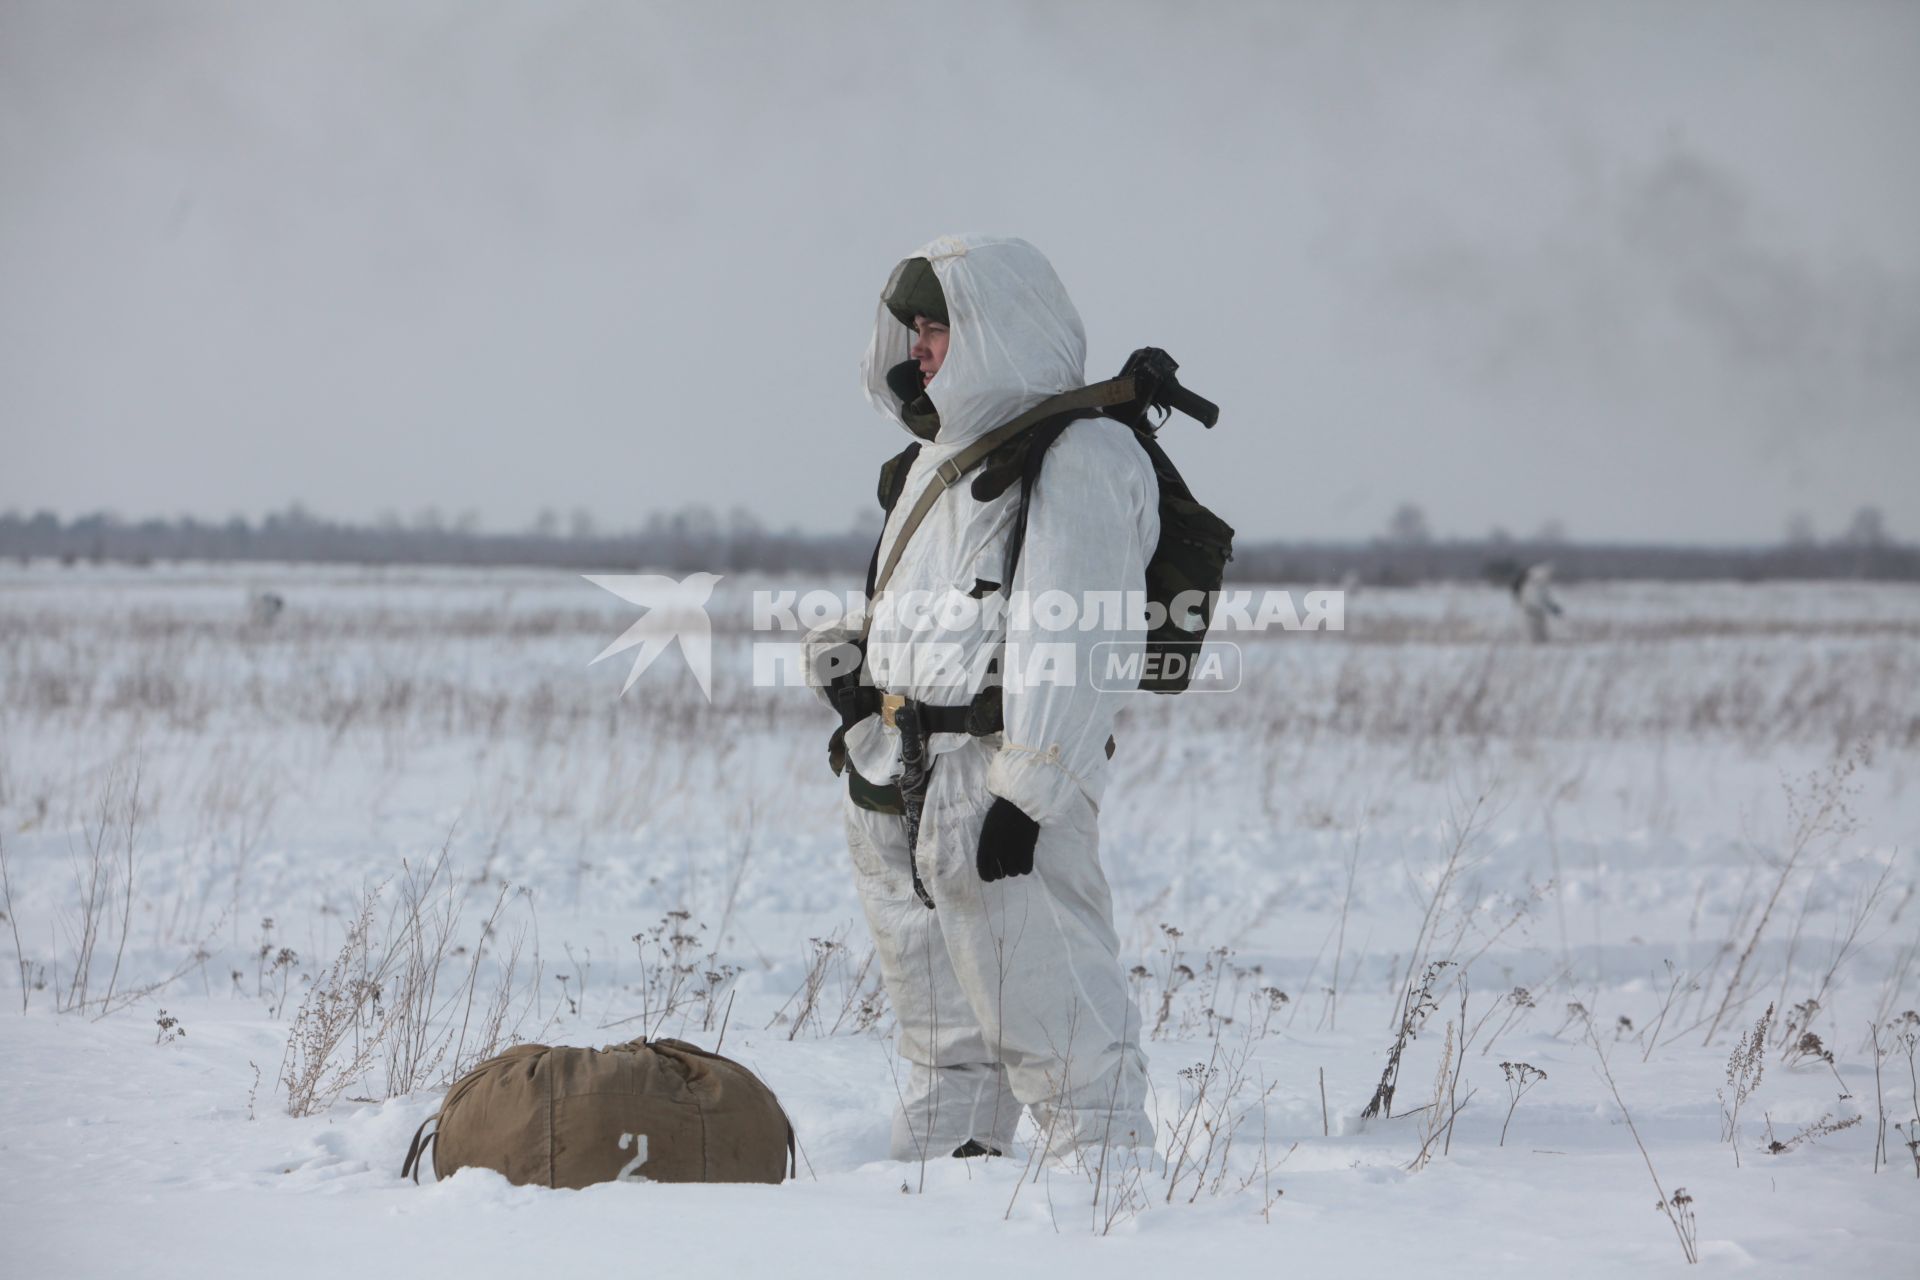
x: 700, y: 542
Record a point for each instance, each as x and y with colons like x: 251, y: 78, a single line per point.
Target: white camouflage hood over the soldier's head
x: 1015, y: 337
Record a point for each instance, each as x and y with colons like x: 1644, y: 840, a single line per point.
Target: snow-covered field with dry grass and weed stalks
x: 1625, y: 847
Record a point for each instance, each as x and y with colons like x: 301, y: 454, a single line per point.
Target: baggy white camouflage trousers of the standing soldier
x: 1007, y: 995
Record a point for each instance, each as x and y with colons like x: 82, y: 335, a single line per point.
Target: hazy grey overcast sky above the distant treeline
x: 1652, y: 272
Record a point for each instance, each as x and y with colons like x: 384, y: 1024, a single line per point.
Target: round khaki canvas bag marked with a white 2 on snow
x: 640, y: 1112
